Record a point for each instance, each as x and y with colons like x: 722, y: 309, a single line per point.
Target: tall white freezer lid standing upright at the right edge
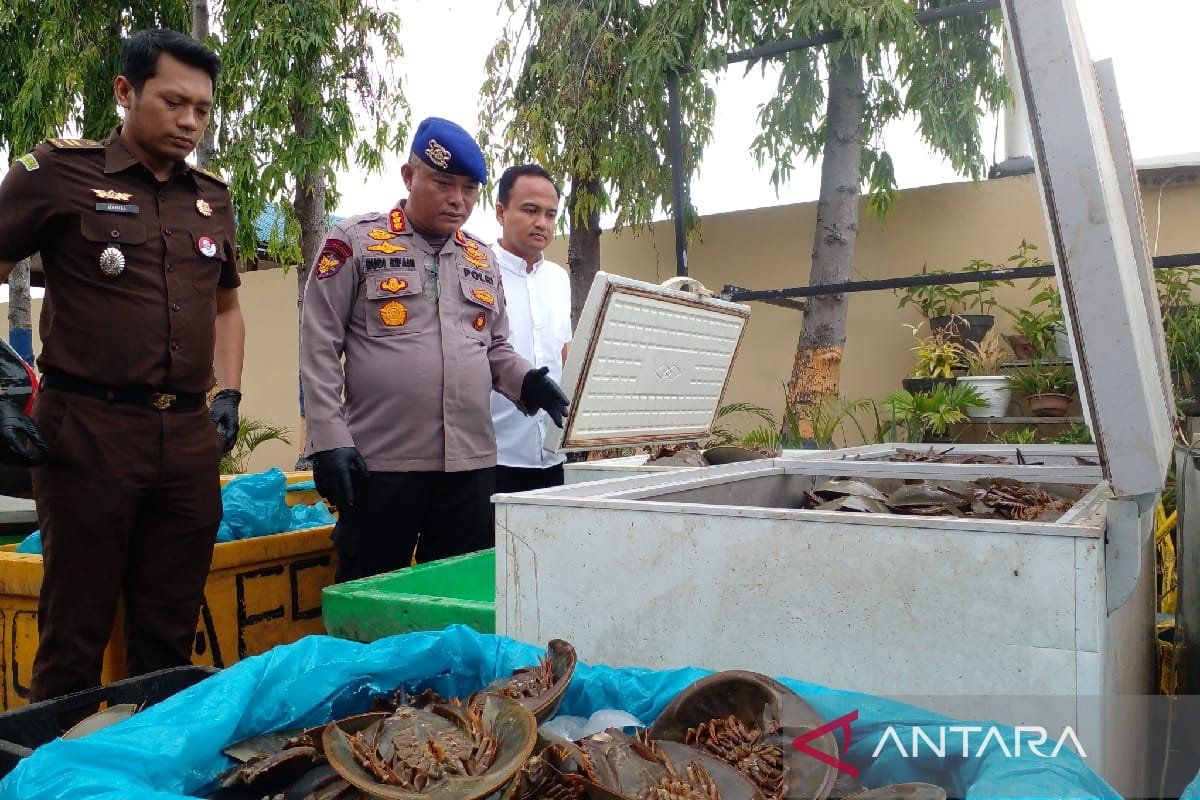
x: 1095, y: 224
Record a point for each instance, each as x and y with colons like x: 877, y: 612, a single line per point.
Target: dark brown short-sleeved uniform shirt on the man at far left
x: 152, y: 327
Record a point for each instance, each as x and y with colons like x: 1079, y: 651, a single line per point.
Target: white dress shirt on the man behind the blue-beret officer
x: 539, y: 308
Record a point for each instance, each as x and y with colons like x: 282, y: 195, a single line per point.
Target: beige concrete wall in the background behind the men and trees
x: 943, y: 227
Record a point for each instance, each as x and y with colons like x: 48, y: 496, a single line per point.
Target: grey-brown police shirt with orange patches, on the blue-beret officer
x: 418, y: 372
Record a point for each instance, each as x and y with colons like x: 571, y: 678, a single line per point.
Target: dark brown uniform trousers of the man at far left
x: 128, y: 506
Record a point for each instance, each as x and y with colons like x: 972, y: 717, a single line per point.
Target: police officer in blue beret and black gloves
x: 416, y: 308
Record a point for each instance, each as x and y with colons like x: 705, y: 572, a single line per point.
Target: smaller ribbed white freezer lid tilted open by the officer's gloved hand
x: 649, y: 365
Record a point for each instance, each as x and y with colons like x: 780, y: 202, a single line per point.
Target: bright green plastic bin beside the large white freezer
x: 424, y: 598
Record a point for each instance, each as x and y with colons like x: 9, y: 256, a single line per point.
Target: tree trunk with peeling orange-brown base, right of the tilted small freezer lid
x: 817, y: 370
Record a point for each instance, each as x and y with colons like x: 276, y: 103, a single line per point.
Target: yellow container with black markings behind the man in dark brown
x: 261, y: 593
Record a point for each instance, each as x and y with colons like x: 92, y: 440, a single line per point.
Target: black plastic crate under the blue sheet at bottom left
x: 38, y: 724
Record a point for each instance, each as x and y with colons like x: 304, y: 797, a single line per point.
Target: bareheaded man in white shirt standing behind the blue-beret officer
x: 538, y: 296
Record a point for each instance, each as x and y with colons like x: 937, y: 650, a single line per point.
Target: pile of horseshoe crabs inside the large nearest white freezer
x: 993, y: 498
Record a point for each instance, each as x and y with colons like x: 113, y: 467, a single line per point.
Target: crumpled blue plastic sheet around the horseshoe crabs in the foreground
x: 172, y: 750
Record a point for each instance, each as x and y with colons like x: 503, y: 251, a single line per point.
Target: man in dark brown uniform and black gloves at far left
x: 141, y: 304
